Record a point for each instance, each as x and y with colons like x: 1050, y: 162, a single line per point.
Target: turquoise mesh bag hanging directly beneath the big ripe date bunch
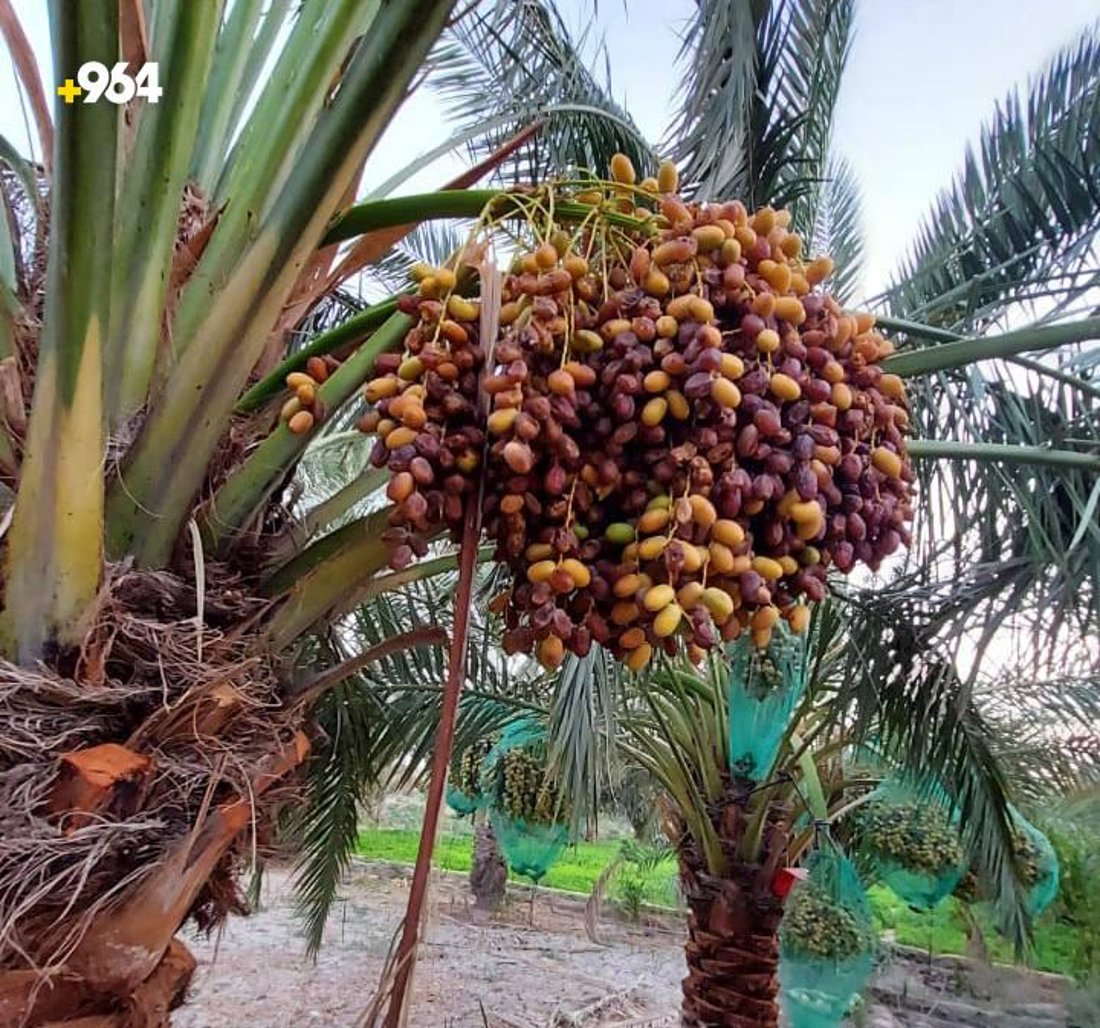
x: 763, y: 691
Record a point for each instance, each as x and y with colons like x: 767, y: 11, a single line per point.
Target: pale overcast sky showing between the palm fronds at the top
x: 923, y: 78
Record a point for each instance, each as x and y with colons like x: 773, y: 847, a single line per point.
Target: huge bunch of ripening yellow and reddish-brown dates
x: 675, y: 433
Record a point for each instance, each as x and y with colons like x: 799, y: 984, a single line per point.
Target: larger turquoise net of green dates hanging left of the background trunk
x: 527, y: 815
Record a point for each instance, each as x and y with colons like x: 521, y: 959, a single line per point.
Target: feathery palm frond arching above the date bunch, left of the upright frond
x: 516, y: 58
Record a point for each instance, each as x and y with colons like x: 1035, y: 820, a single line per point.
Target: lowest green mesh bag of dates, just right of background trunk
x: 827, y: 943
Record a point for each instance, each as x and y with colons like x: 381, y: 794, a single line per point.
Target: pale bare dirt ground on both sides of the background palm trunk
x: 509, y: 972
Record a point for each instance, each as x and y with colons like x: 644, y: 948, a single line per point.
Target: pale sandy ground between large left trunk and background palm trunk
x: 504, y: 971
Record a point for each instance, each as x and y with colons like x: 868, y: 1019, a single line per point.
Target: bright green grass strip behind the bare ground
x: 581, y: 865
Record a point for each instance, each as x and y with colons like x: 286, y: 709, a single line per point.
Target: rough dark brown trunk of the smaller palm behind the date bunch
x: 733, y: 928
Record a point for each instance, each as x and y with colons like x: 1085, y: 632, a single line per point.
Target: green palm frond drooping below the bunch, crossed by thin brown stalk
x: 379, y: 727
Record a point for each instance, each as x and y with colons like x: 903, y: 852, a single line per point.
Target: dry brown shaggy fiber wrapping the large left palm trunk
x: 197, y: 732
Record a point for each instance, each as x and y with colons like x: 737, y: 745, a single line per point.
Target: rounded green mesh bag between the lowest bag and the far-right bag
x: 911, y: 843
